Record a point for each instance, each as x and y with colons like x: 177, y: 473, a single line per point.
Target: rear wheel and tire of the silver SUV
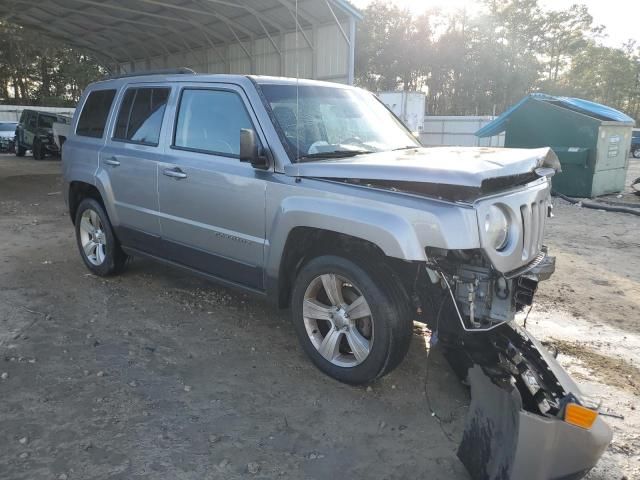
x: 98, y: 246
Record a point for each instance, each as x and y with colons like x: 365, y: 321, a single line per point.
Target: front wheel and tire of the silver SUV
x: 355, y: 350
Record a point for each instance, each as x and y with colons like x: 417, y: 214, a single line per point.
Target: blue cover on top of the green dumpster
x: 584, y: 107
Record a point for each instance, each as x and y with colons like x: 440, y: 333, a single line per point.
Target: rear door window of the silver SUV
x: 140, y: 116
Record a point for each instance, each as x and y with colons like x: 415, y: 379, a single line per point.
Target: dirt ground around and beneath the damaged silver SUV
x: 157, y: 374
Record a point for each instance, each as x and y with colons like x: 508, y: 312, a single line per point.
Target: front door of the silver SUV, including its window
x: 212, y: 206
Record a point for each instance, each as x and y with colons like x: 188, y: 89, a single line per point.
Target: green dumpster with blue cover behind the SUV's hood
x: 591, y: 140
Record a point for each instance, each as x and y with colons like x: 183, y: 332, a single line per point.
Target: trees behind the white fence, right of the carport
x: 481, y: 64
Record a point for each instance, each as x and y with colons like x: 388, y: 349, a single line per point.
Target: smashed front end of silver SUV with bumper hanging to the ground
x: 527, y: 419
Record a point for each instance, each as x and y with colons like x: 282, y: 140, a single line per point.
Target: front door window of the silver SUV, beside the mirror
x: 210, y: 121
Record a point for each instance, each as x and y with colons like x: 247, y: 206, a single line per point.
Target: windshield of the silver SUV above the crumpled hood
x: 334, y: 122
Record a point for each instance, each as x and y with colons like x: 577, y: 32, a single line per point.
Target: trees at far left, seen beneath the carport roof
x: 35, y: 71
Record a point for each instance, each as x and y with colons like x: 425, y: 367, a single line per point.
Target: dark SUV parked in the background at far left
x: 35, y: 133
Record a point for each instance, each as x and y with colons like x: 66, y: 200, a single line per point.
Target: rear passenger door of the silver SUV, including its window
x: 128, y: 163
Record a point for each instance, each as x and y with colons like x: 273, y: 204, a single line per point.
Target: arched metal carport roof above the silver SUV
x: 129, y: 30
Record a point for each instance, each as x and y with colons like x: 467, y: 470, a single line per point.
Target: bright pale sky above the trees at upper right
x: 620, y: 17
